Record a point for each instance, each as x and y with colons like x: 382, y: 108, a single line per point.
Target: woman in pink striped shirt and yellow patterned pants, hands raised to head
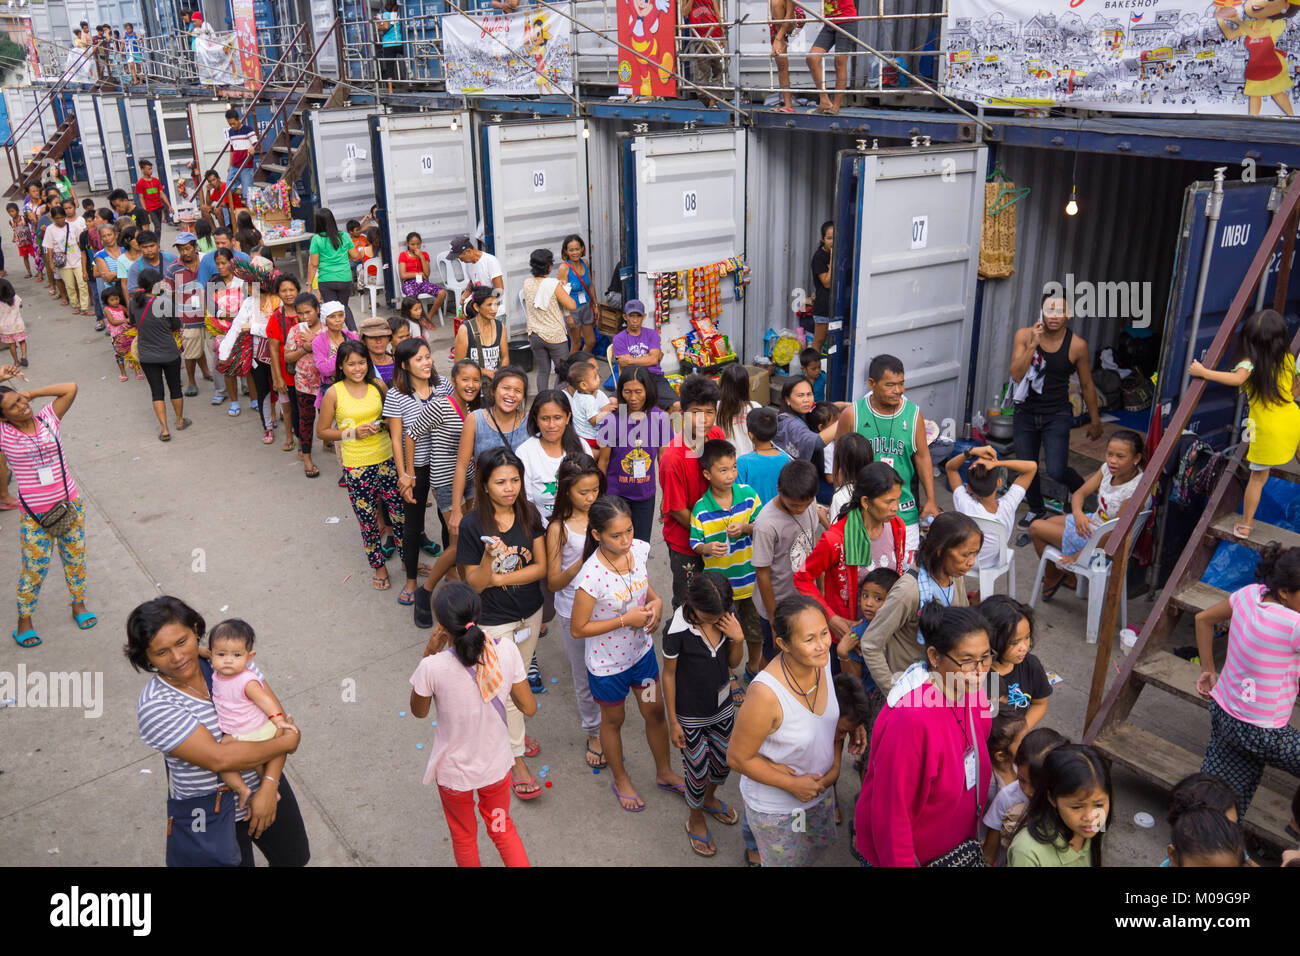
x: 53, y: 509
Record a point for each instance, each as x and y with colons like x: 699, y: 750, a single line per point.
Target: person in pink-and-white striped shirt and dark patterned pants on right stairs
x: 1251, y: 702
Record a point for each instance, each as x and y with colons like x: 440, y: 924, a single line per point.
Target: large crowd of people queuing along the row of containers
x: 818, y: 611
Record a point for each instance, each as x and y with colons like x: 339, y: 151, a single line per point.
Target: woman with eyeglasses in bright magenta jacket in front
x: 929, y: 773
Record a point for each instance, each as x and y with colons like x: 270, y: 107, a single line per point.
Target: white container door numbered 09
x: 535, y: 194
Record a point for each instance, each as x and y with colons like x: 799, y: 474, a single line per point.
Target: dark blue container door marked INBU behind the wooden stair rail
x: 1245, y: 219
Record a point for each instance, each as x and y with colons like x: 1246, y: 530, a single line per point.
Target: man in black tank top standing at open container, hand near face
x: 1043, y: 358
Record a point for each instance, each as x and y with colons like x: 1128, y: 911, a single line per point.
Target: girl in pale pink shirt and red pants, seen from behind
x: 471, y: 676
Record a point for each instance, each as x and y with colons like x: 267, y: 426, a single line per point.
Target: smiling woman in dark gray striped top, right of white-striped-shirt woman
x: 443, y: 421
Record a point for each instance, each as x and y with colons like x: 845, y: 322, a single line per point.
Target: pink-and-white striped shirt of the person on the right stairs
x: 1259, y: 681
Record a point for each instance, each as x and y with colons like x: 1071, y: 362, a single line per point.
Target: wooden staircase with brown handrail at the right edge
x: 1151, y: 665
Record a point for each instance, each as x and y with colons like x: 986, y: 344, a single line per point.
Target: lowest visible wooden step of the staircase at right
x: 1165, y: 764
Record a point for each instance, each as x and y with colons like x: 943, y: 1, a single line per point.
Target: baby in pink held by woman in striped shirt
x: 246, y: 708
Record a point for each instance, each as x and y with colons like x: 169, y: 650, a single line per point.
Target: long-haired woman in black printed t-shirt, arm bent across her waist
x: 501, y: 552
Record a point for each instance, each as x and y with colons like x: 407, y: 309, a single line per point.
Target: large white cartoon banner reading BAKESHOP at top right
x: 1151, y: 57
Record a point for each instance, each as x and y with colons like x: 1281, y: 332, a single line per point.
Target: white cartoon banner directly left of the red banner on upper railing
x: 509, y: 55
